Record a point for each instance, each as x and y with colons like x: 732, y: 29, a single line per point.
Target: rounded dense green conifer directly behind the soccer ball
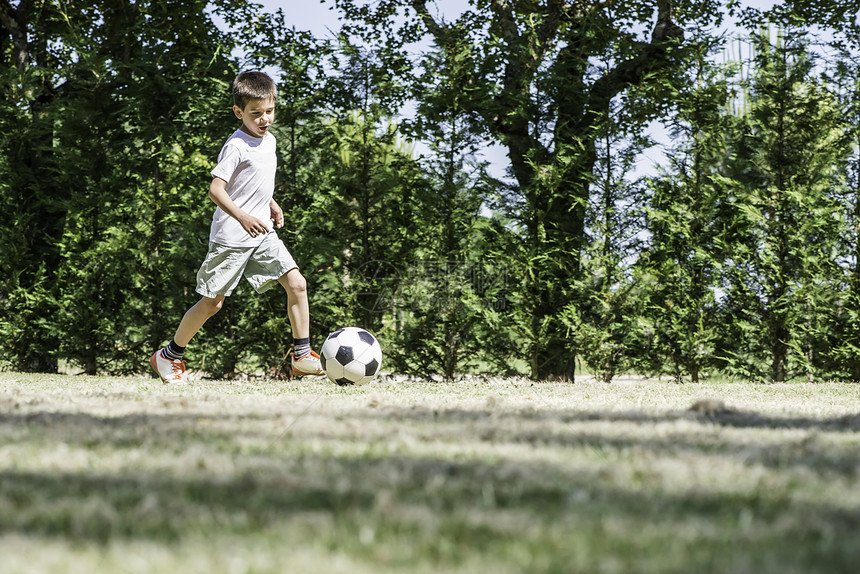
x: 359, y: 240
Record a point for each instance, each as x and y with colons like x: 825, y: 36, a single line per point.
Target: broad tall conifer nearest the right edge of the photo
x: 781, y: 262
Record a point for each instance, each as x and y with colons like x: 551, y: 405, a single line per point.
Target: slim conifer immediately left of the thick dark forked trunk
x: 445, y: 294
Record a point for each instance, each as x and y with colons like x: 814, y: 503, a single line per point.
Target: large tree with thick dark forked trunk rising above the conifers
x: 535, y: 90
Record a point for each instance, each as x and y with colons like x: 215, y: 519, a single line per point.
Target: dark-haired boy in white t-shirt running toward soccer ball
x: 242, y: 241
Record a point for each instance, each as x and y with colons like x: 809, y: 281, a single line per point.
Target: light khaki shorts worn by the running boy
x: 262, y: 266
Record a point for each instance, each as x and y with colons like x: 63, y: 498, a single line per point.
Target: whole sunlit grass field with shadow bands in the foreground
x: 128, y: 475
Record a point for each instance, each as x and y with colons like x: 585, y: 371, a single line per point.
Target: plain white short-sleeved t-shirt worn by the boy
x: 247, y: 164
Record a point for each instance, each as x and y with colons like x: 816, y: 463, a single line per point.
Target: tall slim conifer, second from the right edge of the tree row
x: 685, y: 216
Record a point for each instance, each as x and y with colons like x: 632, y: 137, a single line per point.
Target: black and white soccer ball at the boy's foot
x: 351, y: 356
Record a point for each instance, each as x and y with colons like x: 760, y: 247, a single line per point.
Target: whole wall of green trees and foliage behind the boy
x: 739, y: 255
